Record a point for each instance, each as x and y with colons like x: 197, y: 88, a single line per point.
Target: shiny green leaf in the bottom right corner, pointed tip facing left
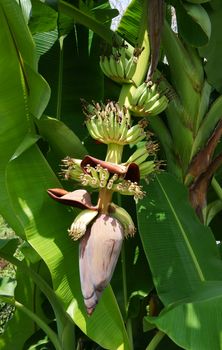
x: 196, y: 323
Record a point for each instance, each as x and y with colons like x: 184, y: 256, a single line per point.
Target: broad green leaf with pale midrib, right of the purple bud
x: 182, y: 253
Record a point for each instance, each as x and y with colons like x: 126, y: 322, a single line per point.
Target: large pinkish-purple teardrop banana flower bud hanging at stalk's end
x: 99, y: 251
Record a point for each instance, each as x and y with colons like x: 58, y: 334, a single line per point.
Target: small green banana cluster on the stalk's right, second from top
x: 147, y: 101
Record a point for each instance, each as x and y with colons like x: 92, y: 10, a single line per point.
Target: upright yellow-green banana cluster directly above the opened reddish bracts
x: 111, y: 124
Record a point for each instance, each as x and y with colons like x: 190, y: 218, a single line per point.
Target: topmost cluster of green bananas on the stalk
x: 118, y: 67
